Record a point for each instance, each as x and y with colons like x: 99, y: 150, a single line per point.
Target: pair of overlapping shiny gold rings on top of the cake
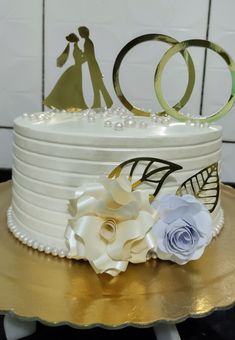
x: 180, y: 47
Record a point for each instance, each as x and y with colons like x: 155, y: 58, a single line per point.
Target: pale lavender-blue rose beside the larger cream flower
x: 183, y: 230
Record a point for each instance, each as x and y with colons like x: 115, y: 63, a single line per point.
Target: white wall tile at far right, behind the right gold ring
x: 217, y: 86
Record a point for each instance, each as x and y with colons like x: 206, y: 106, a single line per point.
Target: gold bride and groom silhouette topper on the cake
x: 68, y: 92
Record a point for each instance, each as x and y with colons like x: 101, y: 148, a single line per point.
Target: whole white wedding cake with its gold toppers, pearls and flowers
x: 117, y: 185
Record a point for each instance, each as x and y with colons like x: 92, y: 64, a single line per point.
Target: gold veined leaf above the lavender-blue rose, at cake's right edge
x: 204, y: 185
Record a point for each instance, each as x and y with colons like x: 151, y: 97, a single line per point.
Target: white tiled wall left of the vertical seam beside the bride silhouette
x: 20, y: 65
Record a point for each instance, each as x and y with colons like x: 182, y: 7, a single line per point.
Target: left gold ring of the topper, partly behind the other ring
x: 127, y: 48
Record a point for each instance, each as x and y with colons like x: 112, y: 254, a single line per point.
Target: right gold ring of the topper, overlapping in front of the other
x: 180, y: 47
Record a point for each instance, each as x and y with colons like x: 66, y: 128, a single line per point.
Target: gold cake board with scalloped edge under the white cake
x: 60, y: 291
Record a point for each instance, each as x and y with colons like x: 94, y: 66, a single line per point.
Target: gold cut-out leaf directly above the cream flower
x: 155, y: 171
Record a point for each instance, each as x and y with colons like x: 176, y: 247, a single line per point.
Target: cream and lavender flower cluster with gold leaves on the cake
x: 113, y: 223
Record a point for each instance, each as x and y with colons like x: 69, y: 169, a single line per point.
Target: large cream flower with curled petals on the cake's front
x: 110, y: 225
